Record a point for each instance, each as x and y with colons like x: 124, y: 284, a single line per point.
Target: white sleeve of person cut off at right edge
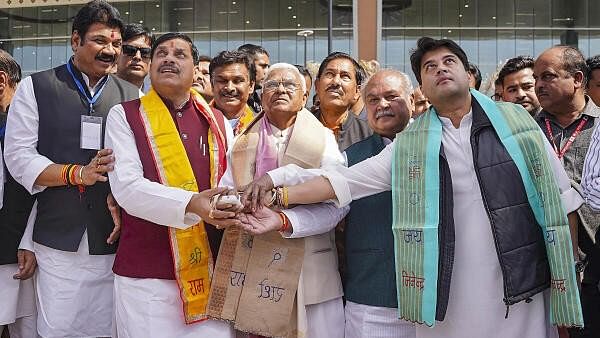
x: 590, y: 179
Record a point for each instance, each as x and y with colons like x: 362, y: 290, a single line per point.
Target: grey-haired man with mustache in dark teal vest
x: 369, y: 279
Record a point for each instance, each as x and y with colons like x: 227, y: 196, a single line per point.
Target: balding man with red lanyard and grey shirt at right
x: 568, y: 119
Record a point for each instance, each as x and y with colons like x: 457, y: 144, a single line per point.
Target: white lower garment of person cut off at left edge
x: 17, y: 304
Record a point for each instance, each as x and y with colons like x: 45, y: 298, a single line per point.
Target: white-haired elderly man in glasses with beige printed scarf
x: 286, y: 283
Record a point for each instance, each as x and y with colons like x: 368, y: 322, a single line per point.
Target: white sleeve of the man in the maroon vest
x: 136, y: 194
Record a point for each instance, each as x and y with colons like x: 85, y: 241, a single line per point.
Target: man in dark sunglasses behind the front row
x: 134, y: 62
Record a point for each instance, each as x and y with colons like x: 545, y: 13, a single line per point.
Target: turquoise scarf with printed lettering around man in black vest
x: 416, y: 195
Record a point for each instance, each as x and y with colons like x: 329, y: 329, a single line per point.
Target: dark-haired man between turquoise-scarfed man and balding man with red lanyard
x: 518, y: 84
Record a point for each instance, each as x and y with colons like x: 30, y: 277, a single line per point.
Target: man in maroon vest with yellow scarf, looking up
x: 169, y: 152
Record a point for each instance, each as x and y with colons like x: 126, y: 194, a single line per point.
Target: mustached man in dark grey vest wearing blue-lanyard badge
x: 54, y: 149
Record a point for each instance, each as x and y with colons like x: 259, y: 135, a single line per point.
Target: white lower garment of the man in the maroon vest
x: 152, y: 308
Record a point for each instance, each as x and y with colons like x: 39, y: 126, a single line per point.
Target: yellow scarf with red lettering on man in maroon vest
x: 190, y: 248
